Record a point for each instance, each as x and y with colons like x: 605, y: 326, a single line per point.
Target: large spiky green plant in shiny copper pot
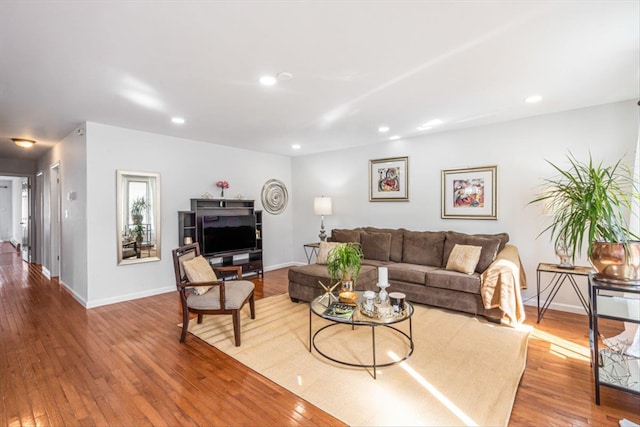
x: 590, y: 204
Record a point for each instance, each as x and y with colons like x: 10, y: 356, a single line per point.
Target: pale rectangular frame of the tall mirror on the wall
x: 122, y: 176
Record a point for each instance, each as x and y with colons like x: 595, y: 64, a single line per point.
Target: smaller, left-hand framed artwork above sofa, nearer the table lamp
x: 389, y: 180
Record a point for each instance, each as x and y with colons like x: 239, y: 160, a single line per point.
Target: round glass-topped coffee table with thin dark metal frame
x: 318, y: 306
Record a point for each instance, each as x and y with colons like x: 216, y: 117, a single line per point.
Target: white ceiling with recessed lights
x: 357, y: 65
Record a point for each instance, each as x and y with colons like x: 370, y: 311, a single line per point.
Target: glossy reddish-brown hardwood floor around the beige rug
x: 122, y: 364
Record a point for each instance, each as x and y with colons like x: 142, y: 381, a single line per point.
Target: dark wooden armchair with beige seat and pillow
x: 210, y: 296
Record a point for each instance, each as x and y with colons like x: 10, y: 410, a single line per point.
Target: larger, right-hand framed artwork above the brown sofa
x: 470, y: 193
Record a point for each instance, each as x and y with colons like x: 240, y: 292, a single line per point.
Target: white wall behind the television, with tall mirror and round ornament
x: 188, y: 169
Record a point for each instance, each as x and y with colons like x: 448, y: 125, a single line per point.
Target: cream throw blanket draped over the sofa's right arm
x: 500, y: 286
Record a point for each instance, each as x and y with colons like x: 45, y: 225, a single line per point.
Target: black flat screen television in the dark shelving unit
x: 228, y: 233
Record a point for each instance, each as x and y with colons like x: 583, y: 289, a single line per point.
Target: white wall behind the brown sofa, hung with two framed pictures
x: 519, y: 149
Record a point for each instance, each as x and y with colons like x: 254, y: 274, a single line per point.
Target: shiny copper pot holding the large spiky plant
x: 610, y: 260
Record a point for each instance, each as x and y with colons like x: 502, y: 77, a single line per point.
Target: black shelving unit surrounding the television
x: 190, y: 226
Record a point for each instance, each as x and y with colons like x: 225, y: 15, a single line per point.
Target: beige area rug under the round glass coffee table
x: 464, y: 370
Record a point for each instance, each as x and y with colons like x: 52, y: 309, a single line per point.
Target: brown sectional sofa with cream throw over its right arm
x: 416, y: 262
